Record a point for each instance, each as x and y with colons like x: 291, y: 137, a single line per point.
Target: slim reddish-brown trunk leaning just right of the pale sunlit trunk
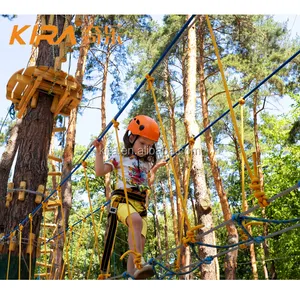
x: 231, y: 257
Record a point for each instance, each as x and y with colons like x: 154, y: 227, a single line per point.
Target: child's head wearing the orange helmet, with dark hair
x: 140, y: 138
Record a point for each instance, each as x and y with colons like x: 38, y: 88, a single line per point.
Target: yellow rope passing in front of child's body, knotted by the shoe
x: 116, y: 126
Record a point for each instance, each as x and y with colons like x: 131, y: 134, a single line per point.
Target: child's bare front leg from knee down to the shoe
x: 137, y: 225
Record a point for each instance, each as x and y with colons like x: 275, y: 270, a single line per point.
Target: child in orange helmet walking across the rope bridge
x: 139, y: 161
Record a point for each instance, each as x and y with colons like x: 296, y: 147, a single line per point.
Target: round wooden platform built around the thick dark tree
x: 24, y: 85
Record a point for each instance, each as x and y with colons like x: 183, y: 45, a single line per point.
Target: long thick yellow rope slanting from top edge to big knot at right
x: 254, y: 179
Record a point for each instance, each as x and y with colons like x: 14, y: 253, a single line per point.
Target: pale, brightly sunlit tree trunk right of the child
x: 203, y: 204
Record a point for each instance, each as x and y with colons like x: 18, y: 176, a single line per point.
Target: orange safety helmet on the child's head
x: 144, y: 126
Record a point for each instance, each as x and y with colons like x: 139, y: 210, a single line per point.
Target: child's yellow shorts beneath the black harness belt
x: 134, y: 207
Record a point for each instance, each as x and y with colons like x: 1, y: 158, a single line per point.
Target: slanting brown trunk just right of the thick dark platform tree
x: 68, y: 154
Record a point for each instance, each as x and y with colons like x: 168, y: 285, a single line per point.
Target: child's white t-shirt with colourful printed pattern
x: 135, y: 172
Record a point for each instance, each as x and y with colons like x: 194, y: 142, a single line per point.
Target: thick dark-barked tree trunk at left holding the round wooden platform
x: 31, y: 166
